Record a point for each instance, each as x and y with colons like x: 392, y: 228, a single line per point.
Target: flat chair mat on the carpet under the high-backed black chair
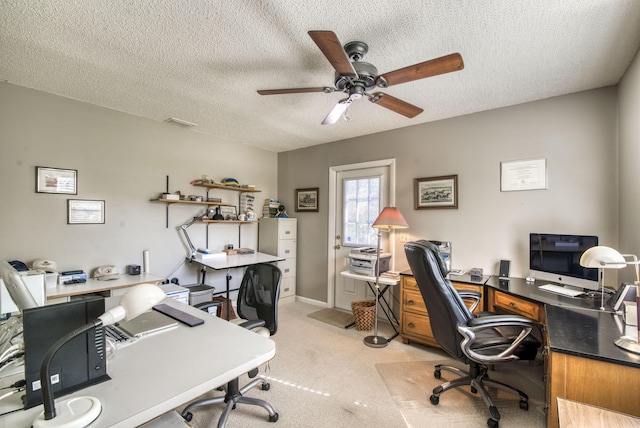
x: 410, y: 384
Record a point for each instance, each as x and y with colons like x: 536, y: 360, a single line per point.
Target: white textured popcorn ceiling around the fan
x: 203, y: 60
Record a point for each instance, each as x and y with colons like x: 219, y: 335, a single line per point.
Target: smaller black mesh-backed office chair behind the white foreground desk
x: 258, y: 311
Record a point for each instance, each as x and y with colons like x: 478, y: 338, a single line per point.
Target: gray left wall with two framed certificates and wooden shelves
x: 123, y: 160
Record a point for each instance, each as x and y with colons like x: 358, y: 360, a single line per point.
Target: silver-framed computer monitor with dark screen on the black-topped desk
x: 556, y: 258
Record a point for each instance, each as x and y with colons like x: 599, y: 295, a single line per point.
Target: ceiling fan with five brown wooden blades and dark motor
x: 357, y: 78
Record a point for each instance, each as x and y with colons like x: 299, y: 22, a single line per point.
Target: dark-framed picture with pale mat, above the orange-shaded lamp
x: 436, y: 192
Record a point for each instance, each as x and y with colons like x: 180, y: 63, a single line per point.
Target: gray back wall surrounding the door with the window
x: 576, y: 133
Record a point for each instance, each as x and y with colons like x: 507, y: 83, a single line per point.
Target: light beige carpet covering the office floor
x: 324, y: 376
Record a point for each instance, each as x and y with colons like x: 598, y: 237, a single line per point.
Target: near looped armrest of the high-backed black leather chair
x: 523, y: 326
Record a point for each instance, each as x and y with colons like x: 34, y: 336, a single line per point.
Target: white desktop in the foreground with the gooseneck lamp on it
x: 164, y: 371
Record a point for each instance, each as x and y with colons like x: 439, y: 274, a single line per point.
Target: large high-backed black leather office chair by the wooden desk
x: 478, y: 342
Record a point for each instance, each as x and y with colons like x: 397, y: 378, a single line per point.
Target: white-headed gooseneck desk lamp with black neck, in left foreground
x: 82, y: 411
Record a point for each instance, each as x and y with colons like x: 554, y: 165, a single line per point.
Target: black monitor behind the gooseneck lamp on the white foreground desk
x: 80, y: 363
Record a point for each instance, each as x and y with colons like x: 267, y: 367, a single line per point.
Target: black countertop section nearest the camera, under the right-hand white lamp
x: 588, y: 333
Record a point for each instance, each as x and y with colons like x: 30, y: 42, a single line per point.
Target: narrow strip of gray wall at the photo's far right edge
x: 629, y: 128
